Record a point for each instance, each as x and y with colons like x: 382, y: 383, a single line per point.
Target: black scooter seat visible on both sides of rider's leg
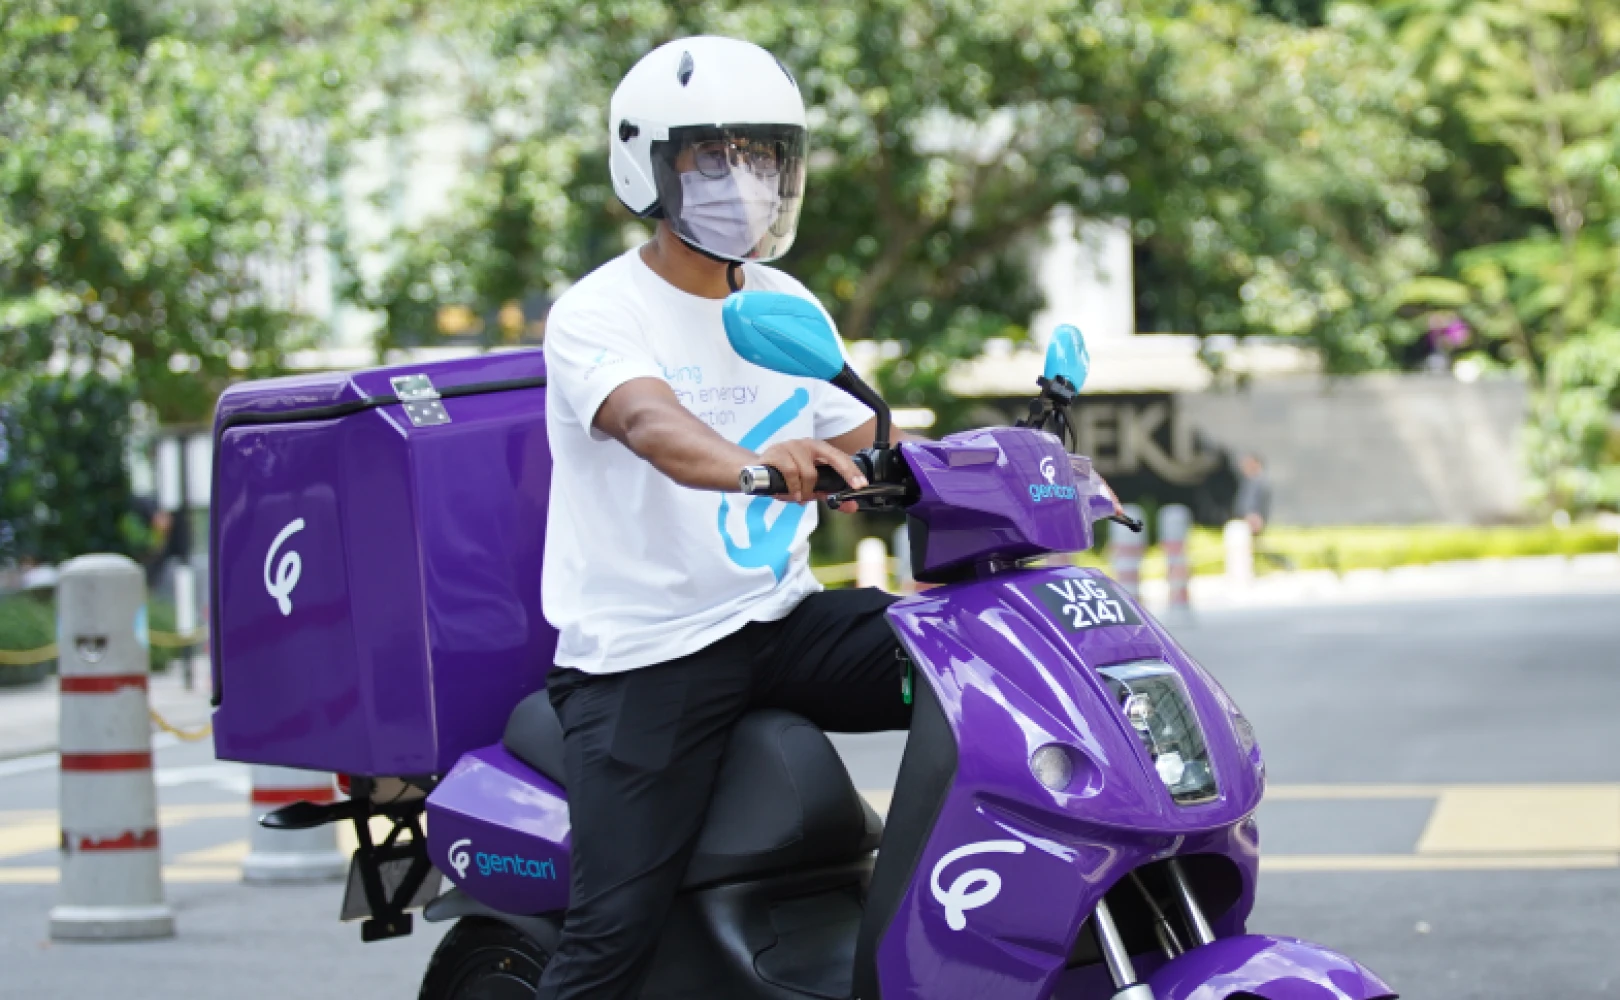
x: 783, y: 800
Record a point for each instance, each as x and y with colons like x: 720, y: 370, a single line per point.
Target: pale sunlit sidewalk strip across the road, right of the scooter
x: 1598, y: 573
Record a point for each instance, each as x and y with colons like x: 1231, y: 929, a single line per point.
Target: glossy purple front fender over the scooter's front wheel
x: 1273, y: 968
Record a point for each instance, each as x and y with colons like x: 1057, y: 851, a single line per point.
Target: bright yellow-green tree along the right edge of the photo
x: 1530, y: 95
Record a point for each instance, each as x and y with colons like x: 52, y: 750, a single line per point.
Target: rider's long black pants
x: 642, y: 751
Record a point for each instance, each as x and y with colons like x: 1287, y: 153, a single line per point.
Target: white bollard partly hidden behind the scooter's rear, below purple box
x: 291, y: 857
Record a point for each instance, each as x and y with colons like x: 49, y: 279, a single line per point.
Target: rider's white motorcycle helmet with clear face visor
x: 710, y: 135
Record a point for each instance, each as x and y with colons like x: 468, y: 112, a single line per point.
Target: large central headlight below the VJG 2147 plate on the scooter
x: 1156, y: 704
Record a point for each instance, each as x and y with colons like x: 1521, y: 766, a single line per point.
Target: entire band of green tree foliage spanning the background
x: 1352, y: 176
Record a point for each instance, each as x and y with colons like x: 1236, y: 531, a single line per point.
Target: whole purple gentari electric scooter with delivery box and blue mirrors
x: 1075, y: 810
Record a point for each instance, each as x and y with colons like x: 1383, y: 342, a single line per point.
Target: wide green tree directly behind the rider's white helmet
x: 1268, y: 168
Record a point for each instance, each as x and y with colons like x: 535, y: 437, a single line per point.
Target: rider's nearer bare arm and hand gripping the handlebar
x: 646, y: 417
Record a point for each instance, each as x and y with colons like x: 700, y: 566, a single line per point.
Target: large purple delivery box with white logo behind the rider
x: 377, y: 544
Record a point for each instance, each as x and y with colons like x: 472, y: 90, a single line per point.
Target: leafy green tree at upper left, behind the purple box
x: 163, y: 182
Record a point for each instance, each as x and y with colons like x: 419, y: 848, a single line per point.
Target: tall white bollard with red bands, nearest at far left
x: 113, y: 886
